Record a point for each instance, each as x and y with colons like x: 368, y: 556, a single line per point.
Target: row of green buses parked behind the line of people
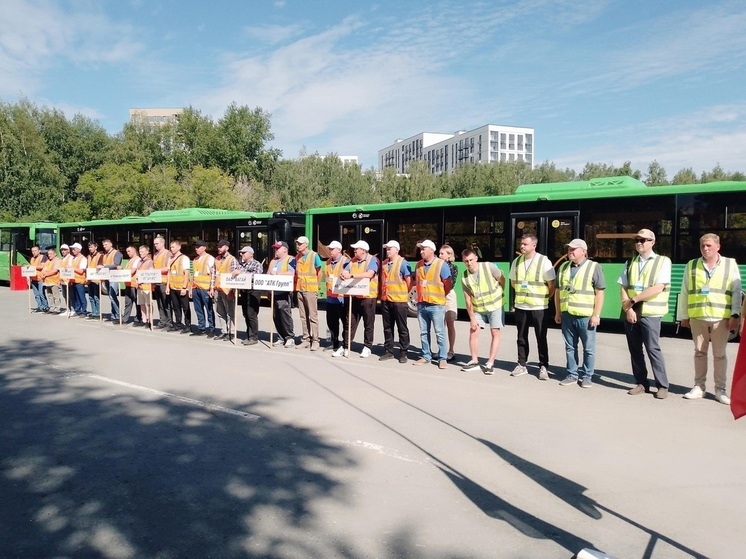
x: 605, y: 212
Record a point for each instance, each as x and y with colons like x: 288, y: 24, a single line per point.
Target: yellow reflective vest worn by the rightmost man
x: 716, y: 303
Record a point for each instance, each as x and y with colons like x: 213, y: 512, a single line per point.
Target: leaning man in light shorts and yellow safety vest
x: 483, y: 285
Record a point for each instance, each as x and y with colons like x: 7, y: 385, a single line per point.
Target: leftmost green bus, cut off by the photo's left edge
x: 16, y: 240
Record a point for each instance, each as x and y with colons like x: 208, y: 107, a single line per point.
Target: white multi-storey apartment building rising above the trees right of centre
x: 445, y: 152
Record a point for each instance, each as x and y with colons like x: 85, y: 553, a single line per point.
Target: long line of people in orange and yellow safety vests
x: 710, y: 301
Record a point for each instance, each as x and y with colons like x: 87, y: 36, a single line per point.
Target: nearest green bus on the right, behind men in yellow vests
x: 605, y: 212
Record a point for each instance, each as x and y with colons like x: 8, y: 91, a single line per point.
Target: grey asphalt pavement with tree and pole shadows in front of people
x: 124, y: 443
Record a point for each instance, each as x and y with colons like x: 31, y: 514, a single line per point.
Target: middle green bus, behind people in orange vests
x: 258, y: 229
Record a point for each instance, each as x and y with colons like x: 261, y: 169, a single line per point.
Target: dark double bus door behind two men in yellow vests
x: 553, y: 229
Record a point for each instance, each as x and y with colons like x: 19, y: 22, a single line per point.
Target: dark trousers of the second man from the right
x: 646, y: 332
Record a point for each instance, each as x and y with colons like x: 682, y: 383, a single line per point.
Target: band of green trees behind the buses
x: 56, y: 168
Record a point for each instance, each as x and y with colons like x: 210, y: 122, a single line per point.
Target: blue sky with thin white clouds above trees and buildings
x: 601, y: 81
